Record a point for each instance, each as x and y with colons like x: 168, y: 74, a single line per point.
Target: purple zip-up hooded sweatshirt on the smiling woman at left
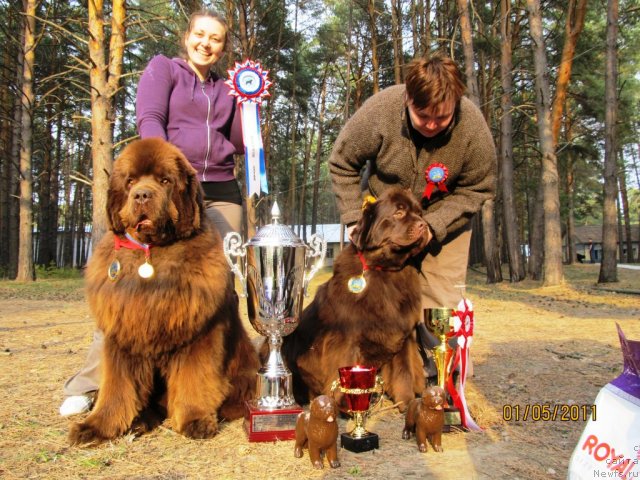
x: 200, y: 118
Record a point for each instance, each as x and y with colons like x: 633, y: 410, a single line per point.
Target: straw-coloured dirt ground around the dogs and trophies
x: 532, y: 346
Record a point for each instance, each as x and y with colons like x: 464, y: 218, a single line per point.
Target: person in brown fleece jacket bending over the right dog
x: 425, y: 136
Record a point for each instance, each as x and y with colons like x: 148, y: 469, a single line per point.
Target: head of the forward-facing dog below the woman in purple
x: 154, y: 193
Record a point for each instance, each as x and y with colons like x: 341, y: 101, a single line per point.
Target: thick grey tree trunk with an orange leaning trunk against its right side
x: 551, y: 197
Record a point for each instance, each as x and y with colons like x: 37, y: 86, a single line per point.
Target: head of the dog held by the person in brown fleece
x: 391, y: 228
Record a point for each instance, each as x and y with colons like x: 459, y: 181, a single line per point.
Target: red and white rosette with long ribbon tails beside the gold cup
x: 463, y: 330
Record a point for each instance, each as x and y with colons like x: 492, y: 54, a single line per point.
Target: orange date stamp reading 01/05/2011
x: 538, y: 412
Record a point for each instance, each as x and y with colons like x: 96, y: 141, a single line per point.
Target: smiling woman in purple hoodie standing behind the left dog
x: 183, y: 101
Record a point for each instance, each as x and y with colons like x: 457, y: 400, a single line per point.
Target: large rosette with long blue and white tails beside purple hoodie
x: 249, y: 83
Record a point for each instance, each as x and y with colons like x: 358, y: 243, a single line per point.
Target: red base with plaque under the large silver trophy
x: 270, y: 425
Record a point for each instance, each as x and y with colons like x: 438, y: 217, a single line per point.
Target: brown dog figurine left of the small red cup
x: 318, y: 430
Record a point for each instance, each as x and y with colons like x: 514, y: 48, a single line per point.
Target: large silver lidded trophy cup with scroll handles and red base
x: 274, y: 269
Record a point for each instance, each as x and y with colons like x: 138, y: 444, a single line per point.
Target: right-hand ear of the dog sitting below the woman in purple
x: 188, y: 200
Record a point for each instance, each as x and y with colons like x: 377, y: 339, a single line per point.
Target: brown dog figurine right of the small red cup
x: 425, y: 418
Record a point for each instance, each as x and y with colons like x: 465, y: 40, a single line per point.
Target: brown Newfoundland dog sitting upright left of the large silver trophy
x: 174, y: 342
